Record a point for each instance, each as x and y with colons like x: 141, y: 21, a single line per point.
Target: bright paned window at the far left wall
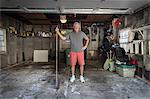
x: 2, y: 40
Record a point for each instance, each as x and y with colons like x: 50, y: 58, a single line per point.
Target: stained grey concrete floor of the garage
x: 37, y: 82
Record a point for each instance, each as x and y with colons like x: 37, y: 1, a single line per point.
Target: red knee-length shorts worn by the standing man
x: 77, y: 56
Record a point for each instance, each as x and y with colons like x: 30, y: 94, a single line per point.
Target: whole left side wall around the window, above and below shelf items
x: 14, y: 43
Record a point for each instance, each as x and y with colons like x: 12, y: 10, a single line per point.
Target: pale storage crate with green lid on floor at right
x: 125, y: 70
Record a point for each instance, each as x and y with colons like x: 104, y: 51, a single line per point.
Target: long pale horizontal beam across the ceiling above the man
x: 70, y: 10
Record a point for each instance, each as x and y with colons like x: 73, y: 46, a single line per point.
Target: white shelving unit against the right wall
x: 145, y: 47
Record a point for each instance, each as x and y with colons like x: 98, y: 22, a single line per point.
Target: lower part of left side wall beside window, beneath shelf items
x: 14, y: 51
